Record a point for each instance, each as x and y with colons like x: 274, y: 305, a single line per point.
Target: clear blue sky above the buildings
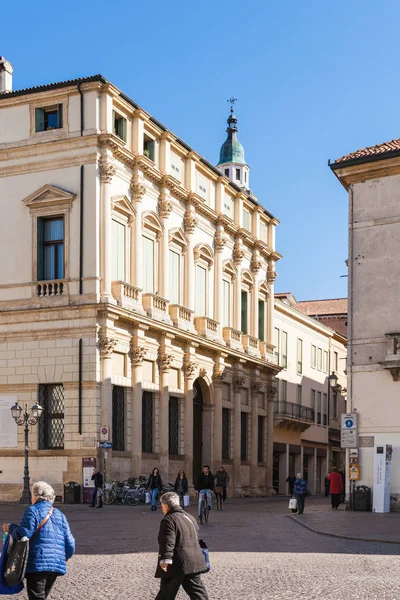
x: 314, y: 80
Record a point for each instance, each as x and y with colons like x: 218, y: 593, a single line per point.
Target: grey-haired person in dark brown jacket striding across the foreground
x: 180, y: 559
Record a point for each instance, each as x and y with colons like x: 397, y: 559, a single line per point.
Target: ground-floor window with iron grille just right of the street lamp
x: 51, y: 424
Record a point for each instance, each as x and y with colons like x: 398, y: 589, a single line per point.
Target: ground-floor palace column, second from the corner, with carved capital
x: 137, y: 352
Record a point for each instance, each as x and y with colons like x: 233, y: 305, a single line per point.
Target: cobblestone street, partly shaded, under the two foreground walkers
x: 257, y: 552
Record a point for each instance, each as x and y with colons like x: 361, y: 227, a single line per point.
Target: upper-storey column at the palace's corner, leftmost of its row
x: 107, y: 170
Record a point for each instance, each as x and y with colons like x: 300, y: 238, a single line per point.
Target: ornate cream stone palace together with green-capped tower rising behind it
x: 136, y: 293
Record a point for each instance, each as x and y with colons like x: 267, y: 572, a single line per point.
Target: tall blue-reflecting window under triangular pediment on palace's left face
x: 50, y: 249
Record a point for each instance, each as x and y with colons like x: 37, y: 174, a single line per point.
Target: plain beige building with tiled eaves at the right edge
x: 372, y: 178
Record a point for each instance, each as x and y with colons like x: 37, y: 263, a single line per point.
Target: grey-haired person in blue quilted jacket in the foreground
x: 50, y: 546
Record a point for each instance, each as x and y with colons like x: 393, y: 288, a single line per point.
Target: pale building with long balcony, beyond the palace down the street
x: 307, y: 407
